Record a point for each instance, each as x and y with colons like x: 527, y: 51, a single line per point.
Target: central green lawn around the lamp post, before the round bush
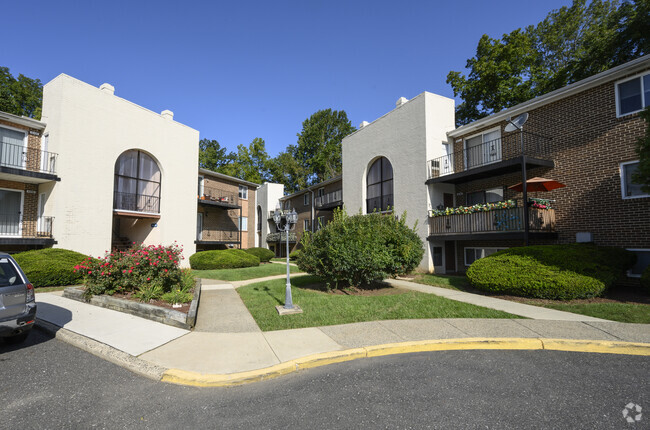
x: 322, y: 309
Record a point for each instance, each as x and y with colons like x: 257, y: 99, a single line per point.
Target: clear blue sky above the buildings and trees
x: 240, y: 70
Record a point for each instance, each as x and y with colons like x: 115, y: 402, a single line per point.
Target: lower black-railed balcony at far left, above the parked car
x: 17, y: 231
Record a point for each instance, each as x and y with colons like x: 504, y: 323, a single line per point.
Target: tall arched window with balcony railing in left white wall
x: 137, y: 183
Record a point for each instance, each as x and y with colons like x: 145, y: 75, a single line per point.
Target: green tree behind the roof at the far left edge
x: 20, y: 96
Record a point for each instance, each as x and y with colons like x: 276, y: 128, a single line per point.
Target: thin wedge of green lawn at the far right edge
x: 623, y: 312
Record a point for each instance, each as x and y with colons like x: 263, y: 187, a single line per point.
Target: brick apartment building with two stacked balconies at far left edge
x: 27, y: 169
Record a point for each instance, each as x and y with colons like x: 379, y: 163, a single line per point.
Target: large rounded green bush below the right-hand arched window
x: 360, y: 249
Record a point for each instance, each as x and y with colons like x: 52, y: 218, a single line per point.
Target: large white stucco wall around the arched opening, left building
x: 90, y: 128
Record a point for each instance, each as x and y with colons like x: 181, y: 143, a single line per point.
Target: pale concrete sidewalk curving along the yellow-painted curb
x: 228, y: 345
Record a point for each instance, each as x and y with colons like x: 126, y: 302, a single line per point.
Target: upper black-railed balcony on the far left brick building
x: 24, y: 164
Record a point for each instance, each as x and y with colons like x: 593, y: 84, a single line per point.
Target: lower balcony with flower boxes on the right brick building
x: 494, y: 224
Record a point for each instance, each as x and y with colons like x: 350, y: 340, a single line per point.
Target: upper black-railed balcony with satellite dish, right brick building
x: 495, y: 157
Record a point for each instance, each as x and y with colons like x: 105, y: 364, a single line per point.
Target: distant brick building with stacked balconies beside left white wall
x: 226, y: 212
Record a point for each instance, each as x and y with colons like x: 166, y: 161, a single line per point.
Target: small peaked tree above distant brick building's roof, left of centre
x: 250, y: 163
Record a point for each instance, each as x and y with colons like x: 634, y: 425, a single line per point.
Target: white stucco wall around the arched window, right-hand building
x: 407, y: 136
